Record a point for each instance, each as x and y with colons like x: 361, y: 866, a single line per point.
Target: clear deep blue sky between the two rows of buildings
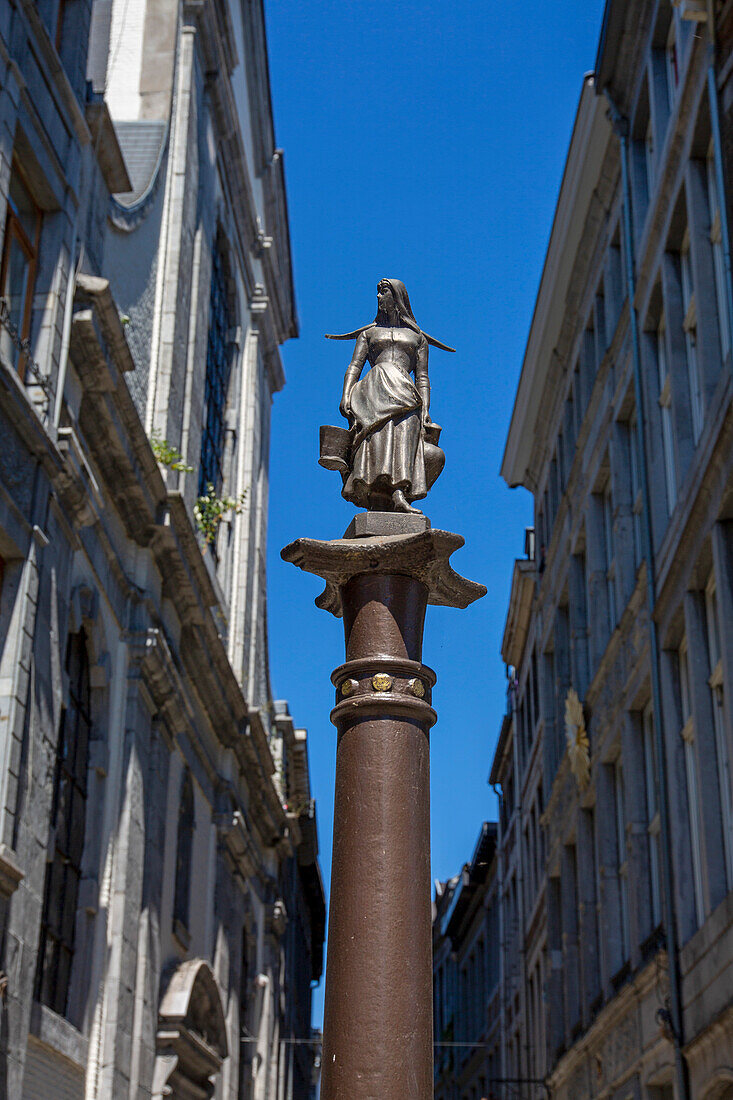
x: 424, y: 141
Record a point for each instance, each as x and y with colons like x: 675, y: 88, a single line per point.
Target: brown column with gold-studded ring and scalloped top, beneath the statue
x: 378, y: 1028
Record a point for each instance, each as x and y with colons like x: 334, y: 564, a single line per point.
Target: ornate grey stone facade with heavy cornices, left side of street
x: 161, y: 906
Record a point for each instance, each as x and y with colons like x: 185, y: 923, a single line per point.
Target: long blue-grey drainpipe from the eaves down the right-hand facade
x: 621, y: 128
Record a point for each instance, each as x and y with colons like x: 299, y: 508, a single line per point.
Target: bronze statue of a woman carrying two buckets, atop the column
x: 390, y: 455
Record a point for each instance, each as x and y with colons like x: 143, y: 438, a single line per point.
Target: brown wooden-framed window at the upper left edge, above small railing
x: 20, y: 252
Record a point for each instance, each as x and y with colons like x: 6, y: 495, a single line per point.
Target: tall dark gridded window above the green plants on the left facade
x: 218, y: 370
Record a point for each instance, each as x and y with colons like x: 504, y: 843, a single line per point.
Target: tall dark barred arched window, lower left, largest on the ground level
x: 68, y: 821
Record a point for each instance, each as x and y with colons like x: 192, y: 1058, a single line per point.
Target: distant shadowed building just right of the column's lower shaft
x: 466, y: 977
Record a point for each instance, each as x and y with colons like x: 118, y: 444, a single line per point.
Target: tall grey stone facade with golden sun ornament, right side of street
x: 593, y: 775
